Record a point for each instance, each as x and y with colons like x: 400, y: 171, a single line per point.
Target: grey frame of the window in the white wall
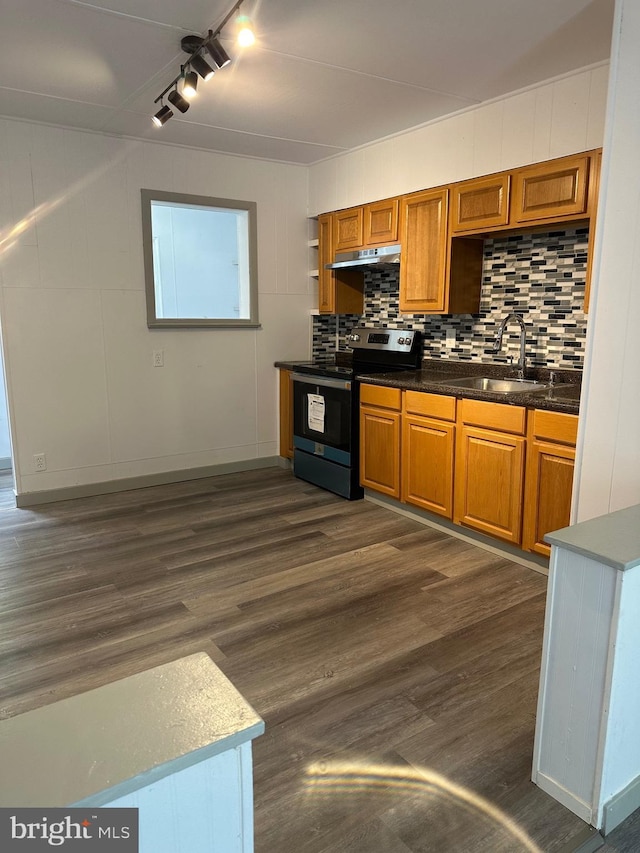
x: 155, y: 322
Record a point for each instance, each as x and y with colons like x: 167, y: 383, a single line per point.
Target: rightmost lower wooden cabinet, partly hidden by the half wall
x: 549, y: 482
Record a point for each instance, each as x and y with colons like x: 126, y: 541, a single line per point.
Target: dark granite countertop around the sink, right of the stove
x: 563, y: 397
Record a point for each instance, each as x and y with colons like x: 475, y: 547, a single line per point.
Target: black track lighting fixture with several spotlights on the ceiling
x: 196, y: 65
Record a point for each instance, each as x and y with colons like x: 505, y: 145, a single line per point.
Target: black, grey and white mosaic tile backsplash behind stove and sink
x: 541, y: 276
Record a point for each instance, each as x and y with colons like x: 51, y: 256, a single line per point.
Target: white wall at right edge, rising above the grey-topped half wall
x: 608, y: 454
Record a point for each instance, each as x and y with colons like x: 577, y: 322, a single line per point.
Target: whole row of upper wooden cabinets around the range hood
x: 441, y: 232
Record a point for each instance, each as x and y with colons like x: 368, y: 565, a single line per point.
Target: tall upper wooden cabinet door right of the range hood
x: 423, y: 232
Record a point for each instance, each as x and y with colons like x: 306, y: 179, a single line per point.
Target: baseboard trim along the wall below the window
x: 144, y: 481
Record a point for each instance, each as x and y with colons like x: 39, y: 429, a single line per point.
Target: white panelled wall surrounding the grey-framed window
x: 78, y: 354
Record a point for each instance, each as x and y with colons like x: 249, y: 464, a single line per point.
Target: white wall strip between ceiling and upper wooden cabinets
x: 557, y: 118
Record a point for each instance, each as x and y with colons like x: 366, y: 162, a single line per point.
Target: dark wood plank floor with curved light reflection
x: 396, y: 668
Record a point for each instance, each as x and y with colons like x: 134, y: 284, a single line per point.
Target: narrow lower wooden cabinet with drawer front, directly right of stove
x: 380, y: 439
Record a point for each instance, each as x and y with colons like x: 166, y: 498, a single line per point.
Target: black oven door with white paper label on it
x: 322, y: 417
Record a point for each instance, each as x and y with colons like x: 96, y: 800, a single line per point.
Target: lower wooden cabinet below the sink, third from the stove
x: 490, y: 456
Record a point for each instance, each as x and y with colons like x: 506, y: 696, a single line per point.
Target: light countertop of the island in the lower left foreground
x: 115, y: 739
